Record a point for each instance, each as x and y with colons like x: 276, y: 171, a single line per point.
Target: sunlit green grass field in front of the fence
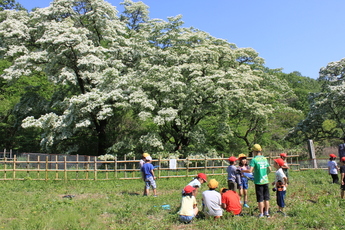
x: 312, y: 203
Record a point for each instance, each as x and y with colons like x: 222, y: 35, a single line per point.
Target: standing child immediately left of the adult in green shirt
x: 243, y: 188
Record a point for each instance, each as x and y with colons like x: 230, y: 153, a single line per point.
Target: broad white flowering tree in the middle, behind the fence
x: 191, y: 76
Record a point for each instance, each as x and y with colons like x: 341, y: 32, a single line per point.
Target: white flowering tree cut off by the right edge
x: 326, y: 118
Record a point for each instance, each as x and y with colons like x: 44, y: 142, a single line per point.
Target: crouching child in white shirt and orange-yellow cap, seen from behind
x: 212, y: 200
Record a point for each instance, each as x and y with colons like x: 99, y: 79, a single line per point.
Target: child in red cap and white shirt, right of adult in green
x: 280, y: 184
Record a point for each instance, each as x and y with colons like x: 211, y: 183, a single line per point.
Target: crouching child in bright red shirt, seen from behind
x: 231, y: 201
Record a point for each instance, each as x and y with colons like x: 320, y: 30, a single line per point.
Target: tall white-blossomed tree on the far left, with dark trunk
x: 82, y: 48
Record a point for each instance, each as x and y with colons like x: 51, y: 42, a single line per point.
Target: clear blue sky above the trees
x: 296, y: 35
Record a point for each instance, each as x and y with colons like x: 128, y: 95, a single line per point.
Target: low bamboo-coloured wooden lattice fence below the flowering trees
x: 48, y: 168
